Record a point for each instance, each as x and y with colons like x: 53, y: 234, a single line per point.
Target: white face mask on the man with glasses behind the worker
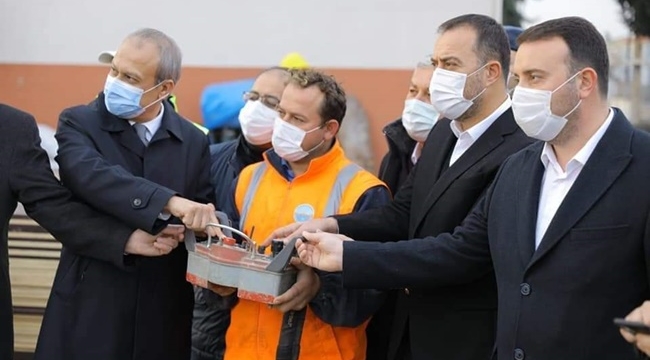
x: 257, y: 120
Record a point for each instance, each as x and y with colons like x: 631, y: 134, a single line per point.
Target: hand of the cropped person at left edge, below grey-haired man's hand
x: 145, y: 244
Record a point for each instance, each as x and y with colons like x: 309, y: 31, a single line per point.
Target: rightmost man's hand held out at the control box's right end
x: 322, y: 250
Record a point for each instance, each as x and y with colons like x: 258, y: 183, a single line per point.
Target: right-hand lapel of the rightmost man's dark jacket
x: 610, y: 157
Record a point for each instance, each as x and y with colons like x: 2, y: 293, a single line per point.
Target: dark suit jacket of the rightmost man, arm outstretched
x: 556, y: 302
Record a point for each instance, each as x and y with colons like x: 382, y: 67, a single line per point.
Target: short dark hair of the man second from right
x: 491, y: 39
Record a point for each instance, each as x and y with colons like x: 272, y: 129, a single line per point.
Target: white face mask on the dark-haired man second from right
x: 447, y: 89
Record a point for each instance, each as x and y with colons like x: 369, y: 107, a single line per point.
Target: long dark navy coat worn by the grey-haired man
x: 97, y: 310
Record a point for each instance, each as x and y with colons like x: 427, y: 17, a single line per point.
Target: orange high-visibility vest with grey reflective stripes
x: 266, y: 200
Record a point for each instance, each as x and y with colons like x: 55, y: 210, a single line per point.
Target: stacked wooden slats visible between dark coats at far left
x: 33, y: 259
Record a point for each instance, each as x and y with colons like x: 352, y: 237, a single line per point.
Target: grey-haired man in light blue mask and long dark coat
x: 131, y: 156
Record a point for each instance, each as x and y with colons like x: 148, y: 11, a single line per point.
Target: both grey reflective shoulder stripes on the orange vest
x: 333, y: 202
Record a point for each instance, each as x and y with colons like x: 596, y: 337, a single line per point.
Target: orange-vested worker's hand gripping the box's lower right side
x: 301, y: 293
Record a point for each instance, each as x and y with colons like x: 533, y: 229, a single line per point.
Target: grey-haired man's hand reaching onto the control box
x: 194, y: 215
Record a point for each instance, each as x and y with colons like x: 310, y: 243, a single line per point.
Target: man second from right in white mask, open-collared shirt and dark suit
x: 460, y: 157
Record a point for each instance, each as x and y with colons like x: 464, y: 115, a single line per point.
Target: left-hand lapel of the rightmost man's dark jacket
x: 528, y: 190
